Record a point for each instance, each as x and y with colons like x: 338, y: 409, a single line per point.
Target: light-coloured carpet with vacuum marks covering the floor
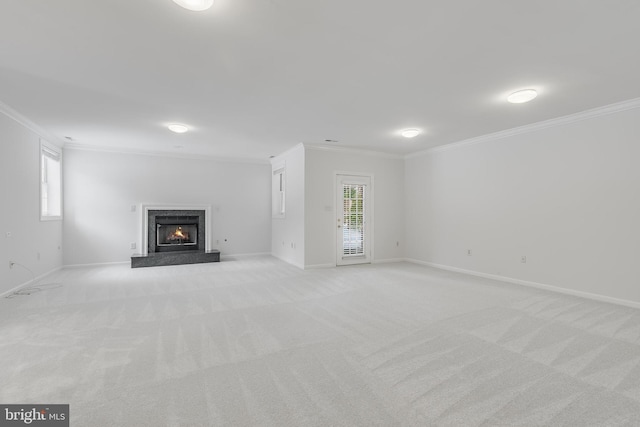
x: 257, y: 342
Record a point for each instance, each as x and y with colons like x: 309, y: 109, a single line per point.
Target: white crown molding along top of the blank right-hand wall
x: 559, y: 121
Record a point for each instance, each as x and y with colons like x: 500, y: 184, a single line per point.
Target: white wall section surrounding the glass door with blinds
x: 320, y: 210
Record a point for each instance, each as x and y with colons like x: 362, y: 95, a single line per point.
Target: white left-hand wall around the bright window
x: 20, y: 209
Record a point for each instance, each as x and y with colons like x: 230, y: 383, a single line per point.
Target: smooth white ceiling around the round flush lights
x: 255, y: 77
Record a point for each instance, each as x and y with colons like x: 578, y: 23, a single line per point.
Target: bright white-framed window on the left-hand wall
x: 50, y: 182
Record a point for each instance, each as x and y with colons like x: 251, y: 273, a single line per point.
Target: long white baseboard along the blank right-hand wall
x: 572, y: 292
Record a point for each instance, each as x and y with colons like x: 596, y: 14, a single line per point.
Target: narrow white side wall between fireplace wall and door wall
x: 288, y: 234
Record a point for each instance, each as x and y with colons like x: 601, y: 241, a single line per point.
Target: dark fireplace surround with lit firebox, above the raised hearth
x: 176, y: 230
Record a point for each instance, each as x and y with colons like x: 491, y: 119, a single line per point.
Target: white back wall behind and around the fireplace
x: 101, y: 187
